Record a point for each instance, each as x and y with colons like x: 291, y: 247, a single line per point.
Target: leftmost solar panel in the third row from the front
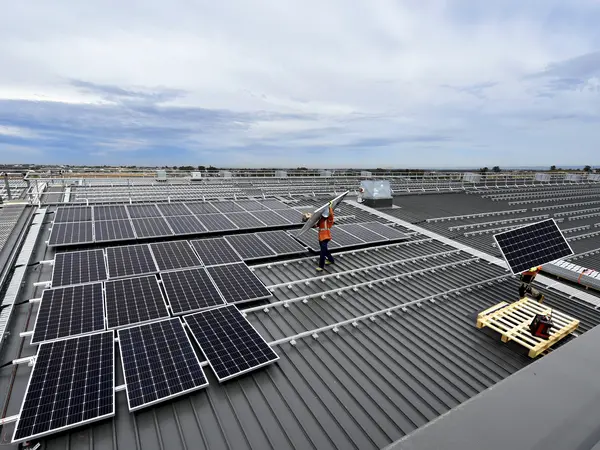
x: 78, y: 267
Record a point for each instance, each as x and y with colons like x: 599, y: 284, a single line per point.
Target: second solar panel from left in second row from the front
x: 134, y: 300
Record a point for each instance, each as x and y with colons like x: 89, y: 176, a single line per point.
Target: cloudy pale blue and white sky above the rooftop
x: 405, y: 83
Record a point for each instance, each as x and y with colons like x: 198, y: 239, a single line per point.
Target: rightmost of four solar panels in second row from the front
x: 238, y: 283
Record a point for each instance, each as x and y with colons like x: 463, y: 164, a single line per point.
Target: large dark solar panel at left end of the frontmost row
x: 72, y: 383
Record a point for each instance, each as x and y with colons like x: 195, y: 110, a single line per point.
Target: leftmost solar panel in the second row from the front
x: 89, y: 302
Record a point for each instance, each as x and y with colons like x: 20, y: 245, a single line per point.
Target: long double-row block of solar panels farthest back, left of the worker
x: 74, y: 225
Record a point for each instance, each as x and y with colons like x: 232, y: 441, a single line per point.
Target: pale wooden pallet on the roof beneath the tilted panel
x: 512, y: 321
